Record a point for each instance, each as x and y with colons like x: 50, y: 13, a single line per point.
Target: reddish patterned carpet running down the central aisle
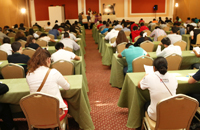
x: 105, y: 113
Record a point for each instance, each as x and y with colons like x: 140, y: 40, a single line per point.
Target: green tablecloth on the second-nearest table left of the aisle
x: 78, y: 65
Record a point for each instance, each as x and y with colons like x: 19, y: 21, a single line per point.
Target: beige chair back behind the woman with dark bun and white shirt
x: 176, y: 112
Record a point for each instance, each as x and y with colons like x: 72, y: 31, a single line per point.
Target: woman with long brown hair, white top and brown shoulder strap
x: 38, y: 66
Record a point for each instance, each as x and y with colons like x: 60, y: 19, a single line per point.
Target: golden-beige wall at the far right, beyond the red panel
x: 187, y: 8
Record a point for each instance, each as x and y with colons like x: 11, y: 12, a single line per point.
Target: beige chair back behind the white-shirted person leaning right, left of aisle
x: 64, y: 67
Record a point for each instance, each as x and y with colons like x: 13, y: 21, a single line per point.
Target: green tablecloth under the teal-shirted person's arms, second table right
x: 117, y: 75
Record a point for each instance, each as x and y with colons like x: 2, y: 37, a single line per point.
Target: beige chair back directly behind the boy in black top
x: 11, y: 71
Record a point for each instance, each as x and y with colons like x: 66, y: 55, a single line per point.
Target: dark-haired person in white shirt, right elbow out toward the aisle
x: 62, y: 54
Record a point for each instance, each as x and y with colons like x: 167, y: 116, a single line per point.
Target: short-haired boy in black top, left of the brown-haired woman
x: 17, y: 56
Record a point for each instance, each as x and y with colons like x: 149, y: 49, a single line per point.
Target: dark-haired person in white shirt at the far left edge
x: 6, y: 46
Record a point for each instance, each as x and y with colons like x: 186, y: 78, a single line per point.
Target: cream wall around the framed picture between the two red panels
x: 119, y: 6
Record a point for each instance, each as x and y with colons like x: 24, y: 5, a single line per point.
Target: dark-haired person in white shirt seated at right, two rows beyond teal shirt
x: 174, y: 37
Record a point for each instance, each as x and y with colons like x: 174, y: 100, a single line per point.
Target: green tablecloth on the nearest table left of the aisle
x: 78, y: 102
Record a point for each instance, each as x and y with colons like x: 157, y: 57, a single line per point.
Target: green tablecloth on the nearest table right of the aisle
x: 133, y: 98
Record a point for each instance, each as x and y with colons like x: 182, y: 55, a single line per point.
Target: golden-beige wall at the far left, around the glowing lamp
x: 10, y: 12
